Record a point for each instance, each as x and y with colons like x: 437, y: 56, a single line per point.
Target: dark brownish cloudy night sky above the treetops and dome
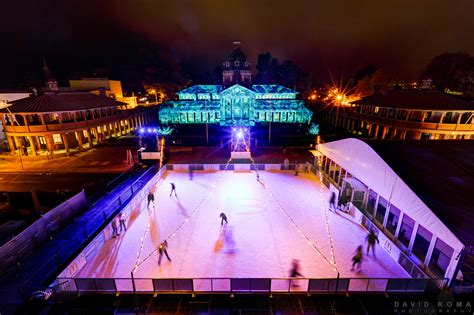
x: 398, y: 35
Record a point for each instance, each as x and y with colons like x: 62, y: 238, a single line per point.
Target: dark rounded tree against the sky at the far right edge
x: 453, y: 71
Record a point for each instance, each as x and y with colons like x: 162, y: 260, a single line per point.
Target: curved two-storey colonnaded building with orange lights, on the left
x: 62, y: 122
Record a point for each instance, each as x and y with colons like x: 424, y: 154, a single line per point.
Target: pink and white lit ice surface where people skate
x: 260, y: 240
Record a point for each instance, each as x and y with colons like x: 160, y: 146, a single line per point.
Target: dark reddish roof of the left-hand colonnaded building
x: 60, y: 102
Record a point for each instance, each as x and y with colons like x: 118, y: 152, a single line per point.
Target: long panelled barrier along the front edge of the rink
x: 248, y: 285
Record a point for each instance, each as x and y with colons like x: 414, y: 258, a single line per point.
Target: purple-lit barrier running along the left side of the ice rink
x: 136, y: 204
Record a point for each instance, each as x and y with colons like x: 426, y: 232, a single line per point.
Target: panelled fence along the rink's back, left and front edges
x: 67, y: 282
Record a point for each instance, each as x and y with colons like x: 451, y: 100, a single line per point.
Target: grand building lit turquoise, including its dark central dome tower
x: 237, y: 102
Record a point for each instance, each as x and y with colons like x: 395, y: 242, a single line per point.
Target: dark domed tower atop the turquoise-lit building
x: 236, y: 68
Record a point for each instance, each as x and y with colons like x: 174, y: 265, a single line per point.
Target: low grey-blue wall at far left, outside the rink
x: 40, y: 231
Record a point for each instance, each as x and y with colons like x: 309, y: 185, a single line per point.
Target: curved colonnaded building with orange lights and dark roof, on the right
x: 407, y: 114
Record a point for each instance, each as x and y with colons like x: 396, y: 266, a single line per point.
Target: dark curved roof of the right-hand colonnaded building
x: 416, y: 99
